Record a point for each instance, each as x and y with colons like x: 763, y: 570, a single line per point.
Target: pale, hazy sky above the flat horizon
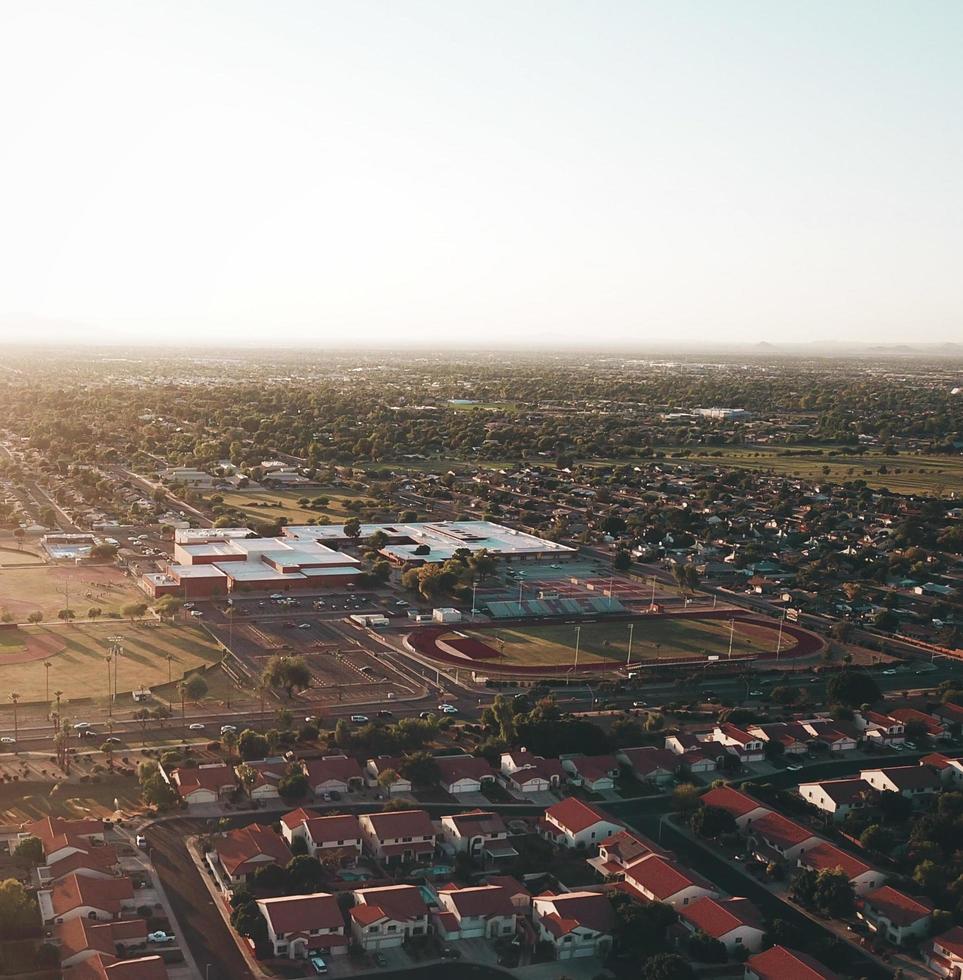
x: 500, y: 171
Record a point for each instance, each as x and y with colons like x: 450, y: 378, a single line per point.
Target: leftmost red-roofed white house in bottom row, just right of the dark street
x: 299, y: 925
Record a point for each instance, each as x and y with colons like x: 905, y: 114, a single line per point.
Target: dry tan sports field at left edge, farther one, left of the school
x: 49, y: 588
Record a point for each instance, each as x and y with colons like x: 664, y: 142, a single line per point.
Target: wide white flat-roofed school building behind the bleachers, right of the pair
x: 407, y: 542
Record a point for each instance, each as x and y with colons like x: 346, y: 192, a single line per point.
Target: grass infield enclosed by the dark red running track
x: 662, y: 639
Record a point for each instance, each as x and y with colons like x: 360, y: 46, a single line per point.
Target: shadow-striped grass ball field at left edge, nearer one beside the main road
x: 76, y: 655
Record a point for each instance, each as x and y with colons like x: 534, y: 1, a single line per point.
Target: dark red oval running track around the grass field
x: 438, y: 643
